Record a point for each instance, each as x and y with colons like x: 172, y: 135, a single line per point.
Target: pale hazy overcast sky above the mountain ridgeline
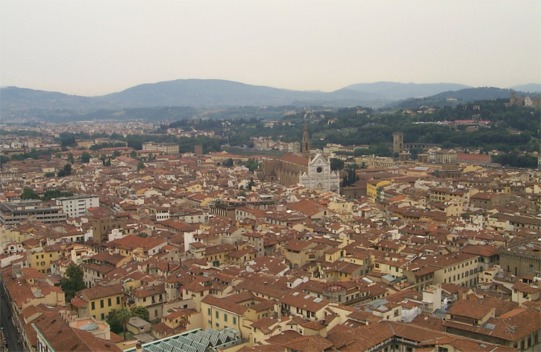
x: 94, y: 47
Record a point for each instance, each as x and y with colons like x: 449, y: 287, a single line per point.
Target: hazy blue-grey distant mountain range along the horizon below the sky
x: 198, y: 93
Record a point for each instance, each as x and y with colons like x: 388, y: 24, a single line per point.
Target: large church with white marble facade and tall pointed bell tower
x: 311, y: 171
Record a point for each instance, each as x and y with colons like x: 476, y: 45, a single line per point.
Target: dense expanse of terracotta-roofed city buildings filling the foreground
x: 411, y: 257
